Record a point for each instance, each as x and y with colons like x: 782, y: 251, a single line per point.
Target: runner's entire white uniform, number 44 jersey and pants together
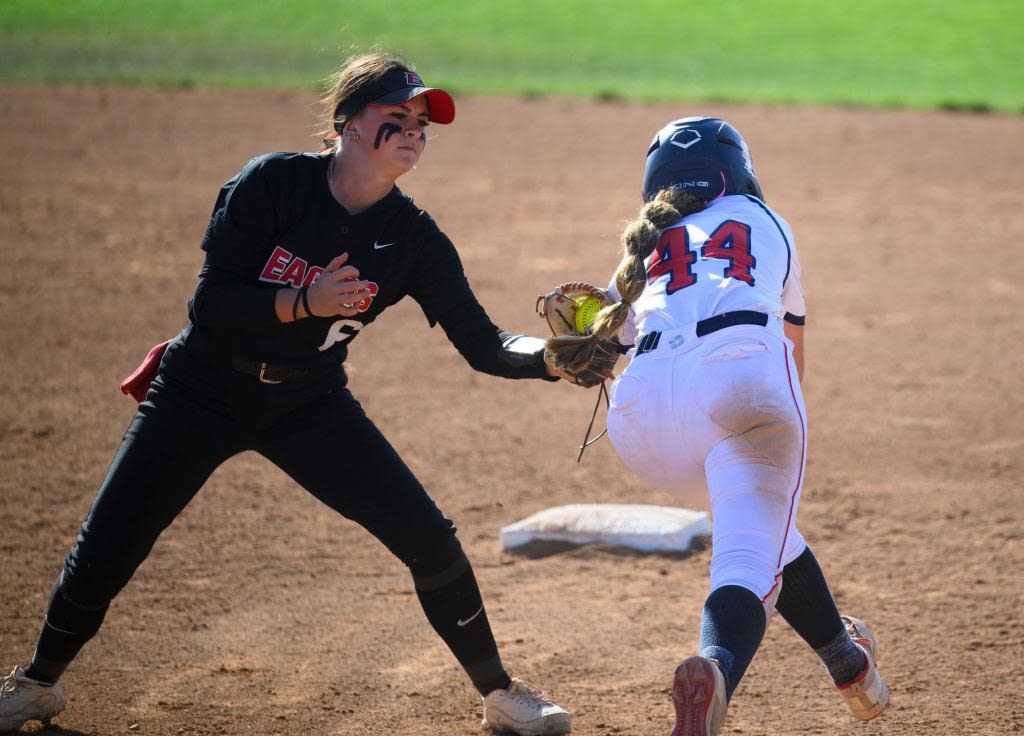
x: 717, y: 419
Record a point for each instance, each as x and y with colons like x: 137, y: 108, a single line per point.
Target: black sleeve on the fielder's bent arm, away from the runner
x: 242, y: 227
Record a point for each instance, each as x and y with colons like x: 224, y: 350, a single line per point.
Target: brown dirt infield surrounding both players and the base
x: 262, y: 613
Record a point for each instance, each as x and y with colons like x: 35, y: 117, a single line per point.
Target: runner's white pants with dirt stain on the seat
x: 719, y: 422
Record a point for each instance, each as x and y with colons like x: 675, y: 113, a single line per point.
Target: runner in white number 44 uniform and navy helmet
x: 710, y: 409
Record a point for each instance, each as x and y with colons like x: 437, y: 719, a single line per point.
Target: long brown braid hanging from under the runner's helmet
x: 639, y: 241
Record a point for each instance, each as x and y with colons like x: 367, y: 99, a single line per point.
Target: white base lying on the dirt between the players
x: 649, y: 529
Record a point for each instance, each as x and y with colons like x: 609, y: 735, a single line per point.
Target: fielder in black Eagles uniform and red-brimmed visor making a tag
x: 303, y: 251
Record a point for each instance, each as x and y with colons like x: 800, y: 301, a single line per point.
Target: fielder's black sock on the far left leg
x: 66, y: 630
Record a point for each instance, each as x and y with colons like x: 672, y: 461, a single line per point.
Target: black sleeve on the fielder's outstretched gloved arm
x: 440, y: 285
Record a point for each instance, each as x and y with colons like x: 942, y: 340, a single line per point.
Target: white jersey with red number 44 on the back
x: 735, y: 254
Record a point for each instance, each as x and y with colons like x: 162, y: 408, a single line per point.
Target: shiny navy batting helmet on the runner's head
x: 705, y: 156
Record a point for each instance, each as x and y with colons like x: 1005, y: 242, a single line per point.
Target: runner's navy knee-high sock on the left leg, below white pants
x: 732, y: 629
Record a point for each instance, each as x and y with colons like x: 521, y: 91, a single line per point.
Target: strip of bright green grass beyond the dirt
x: 874, y: 53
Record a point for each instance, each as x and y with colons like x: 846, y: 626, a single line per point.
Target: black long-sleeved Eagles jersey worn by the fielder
x: 276, y: 225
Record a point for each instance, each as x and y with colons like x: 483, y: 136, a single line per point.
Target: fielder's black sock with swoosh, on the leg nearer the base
x: 454, y: 607
